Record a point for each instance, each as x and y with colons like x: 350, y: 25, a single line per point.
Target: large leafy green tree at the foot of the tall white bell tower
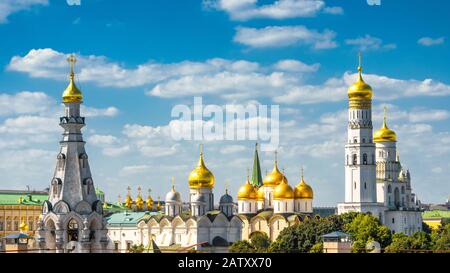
x: 365, y: 228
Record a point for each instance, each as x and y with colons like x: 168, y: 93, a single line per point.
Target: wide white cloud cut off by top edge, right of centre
x: 243, y: 10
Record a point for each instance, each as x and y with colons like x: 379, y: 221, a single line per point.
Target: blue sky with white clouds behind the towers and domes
x: 137, y: 59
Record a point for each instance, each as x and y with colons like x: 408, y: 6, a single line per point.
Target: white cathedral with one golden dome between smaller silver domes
x: 201, y: 226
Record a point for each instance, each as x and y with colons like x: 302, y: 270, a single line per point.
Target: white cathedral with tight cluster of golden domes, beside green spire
x: 270, y: 205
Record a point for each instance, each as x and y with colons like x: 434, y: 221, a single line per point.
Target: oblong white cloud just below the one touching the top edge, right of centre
x: 281, y: 36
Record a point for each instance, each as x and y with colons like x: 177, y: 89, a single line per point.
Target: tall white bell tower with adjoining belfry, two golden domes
x: 375, y: 180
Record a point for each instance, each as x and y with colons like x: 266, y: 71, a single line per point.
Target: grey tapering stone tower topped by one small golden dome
x: 72, y: 217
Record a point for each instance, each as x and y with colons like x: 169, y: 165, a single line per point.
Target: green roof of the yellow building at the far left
x: 26, y: 198
